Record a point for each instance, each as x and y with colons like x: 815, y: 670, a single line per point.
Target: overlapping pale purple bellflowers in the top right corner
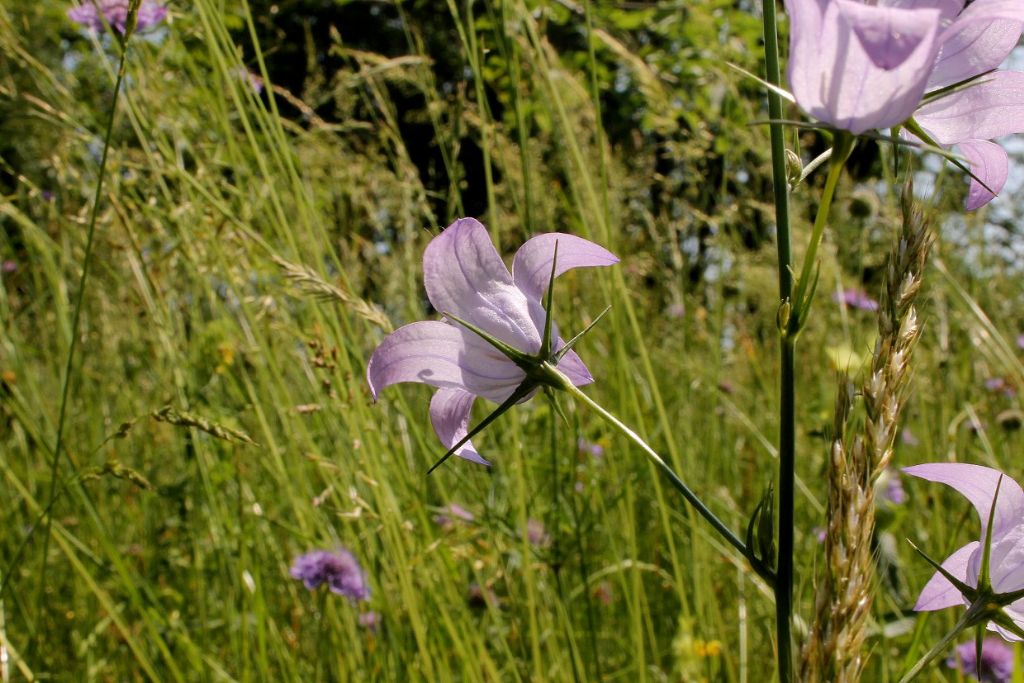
x: 862, y: 66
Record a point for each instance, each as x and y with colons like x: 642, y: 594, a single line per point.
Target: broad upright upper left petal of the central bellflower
x: 465, y: 277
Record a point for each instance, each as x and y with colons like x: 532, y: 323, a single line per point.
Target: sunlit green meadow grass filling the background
x: 247, y: 263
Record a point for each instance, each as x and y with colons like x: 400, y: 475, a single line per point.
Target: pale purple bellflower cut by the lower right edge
x: 979, y: 486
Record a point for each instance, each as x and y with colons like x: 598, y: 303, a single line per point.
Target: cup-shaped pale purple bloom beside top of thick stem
x: 861, y: 67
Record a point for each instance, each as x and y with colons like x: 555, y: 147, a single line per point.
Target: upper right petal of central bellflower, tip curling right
x: 532, y: 265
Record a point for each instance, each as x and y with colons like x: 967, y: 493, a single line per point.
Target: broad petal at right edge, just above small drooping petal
x: 990, y: 108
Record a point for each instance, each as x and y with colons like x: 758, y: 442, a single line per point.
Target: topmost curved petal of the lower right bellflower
x: 977, y: 485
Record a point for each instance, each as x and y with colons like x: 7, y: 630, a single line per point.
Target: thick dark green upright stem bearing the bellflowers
x: 787, y: 428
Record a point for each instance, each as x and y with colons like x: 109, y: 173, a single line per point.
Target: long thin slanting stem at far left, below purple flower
x: 59, y: 445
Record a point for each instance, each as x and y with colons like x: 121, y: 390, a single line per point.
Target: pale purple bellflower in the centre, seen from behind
x: 468, y: 283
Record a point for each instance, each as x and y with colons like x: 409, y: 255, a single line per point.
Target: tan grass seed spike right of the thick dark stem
x: 835, y: 650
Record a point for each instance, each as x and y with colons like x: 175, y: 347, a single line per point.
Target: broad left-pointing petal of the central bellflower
x: 445, y: 357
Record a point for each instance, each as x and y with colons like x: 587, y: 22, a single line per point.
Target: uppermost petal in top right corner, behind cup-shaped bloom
x: 972, y: 47
